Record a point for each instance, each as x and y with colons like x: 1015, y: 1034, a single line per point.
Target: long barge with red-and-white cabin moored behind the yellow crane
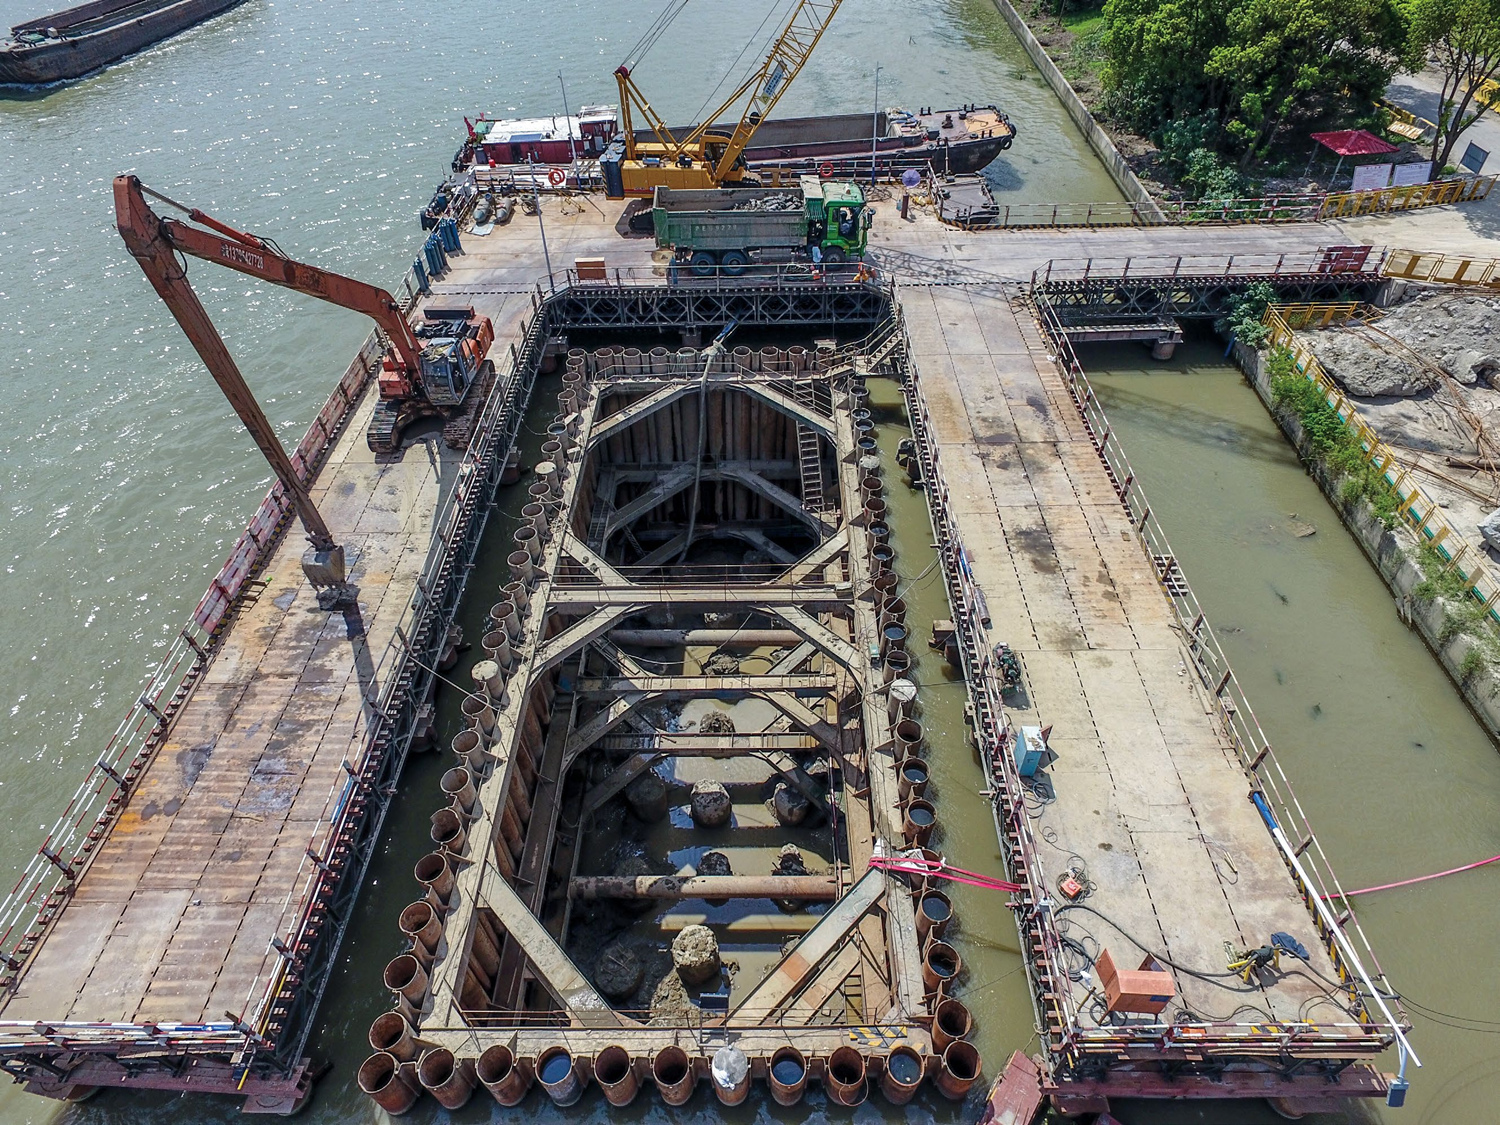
x: 953, y: 142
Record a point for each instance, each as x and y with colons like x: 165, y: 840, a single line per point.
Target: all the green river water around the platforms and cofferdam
x: 326, y: 124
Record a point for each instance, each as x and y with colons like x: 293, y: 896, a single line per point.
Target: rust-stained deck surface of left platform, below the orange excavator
x: 173, y: 919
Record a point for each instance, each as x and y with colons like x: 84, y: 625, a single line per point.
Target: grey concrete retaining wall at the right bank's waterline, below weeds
x: 1394, y: 557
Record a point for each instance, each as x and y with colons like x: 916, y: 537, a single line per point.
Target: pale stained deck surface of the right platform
x: 1147, y: 790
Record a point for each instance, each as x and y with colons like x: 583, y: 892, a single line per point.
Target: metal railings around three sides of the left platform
x: 47, y: 884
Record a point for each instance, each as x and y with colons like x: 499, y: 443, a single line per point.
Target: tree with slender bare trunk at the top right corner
x: 1463, y: 38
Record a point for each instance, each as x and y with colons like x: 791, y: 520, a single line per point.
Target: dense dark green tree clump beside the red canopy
x: 1253, y: 70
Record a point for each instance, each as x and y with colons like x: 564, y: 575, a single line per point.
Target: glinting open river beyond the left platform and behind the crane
x: 326, y: 125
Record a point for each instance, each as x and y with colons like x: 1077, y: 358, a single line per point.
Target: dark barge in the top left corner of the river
x: 79, y: 41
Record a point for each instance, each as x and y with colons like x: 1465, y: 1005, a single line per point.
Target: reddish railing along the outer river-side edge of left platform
x: 50, y: 877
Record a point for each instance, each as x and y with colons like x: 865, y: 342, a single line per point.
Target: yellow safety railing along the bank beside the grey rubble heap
x: 1418, y: 511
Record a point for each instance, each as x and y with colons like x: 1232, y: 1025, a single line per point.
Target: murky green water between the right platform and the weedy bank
x: 1394, y: 772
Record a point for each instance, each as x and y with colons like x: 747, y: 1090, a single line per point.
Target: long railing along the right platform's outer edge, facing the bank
x: 1306, y: 859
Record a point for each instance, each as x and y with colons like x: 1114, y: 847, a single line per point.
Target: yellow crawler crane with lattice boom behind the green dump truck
x: 703, y: 158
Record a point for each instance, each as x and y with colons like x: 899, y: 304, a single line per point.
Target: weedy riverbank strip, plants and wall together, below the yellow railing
x: 1435, y: 610
